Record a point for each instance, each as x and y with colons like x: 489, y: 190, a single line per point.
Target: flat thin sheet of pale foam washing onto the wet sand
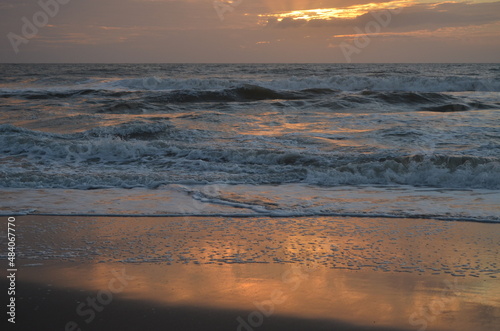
x: 289, y: 200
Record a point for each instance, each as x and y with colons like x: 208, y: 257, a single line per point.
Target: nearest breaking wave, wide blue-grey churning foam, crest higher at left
x: 149, y: 155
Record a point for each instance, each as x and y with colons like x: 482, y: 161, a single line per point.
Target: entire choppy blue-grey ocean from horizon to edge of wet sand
x: 366, y: 140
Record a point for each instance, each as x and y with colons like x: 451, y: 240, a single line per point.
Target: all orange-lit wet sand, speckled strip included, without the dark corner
x: 307, y: 274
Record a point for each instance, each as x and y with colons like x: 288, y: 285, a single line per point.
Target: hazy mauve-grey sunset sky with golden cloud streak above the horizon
x: 249, y: 31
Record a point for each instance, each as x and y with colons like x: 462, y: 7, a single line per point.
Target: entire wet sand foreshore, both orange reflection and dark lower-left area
x: 256, y: 274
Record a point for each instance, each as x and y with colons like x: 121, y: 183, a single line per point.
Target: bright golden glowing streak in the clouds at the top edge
x: 340, y: 13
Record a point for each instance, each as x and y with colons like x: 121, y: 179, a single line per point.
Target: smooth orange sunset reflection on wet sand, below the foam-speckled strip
x: 357, y: 297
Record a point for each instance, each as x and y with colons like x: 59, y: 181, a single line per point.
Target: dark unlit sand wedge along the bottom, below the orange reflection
x: 54, y: 309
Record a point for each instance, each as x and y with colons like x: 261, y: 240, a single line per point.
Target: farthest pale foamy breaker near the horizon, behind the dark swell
x: 319, y: 84
